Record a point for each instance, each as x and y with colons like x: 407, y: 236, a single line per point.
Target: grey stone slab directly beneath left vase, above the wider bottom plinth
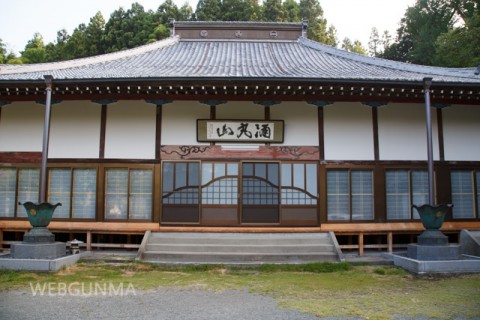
x: 26, y: 250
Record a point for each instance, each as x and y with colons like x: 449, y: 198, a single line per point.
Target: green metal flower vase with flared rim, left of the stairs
x: 39, y: 215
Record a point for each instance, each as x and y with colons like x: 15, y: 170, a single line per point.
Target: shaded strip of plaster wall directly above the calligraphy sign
x: 240, y: 110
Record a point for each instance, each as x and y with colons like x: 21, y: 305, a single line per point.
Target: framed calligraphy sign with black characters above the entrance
x: 240, y: 131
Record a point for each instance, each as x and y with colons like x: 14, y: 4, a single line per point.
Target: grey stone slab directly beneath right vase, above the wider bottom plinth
x: 433, y: 253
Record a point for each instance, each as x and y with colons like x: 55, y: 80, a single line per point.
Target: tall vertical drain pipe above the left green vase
x: 46, y: 133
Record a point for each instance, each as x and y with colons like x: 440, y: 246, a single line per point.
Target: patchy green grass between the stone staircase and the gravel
x: 325, y: 290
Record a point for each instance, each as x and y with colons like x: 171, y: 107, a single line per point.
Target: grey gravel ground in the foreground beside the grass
x: 181, y: 304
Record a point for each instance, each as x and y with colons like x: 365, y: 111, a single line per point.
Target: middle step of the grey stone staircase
x: 255, y: 248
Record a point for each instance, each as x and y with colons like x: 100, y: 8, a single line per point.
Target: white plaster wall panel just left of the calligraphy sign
x: 179, y: 122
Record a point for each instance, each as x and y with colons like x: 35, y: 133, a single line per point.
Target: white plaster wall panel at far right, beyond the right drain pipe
x: 461, y: 133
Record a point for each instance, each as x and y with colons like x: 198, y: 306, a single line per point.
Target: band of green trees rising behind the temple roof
x: 432, y: 32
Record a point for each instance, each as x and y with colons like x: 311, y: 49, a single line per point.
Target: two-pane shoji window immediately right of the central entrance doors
x: 349, y: 195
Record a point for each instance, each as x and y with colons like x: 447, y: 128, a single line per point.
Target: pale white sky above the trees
x: 20, y: 19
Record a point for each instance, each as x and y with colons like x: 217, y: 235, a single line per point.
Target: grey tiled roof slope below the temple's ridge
x: 175, y: 58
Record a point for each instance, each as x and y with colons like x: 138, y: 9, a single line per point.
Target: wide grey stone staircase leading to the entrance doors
x: 238, y: 248
